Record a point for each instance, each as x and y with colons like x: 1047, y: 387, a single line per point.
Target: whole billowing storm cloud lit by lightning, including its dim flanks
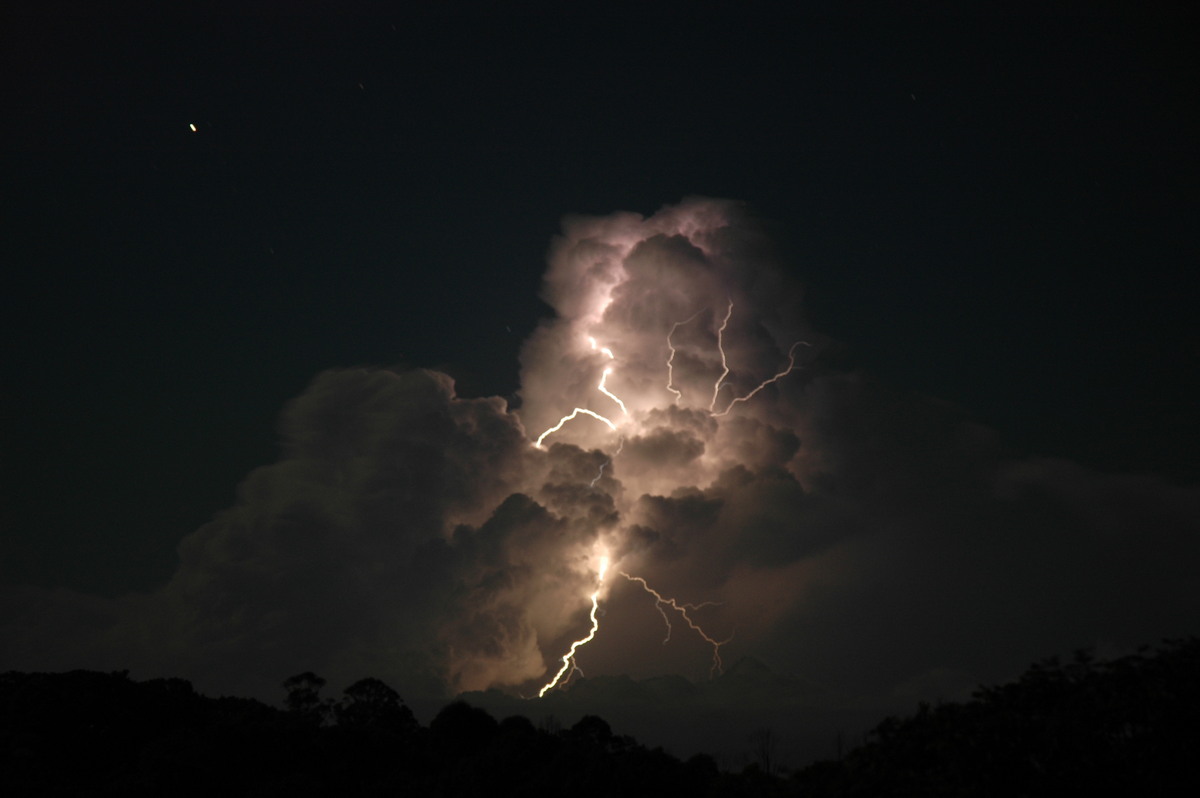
x: 880, y: 544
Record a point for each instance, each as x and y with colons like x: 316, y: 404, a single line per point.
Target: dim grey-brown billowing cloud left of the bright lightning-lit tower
x: 353, y: 554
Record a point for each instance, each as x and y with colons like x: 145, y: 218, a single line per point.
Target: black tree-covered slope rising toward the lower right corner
x: 1126, y: 727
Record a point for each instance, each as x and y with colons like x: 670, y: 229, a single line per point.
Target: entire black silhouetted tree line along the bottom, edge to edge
x: 1124, y: 727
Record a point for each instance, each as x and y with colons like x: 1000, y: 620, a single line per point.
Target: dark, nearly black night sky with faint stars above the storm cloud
x: 992, y: 219
